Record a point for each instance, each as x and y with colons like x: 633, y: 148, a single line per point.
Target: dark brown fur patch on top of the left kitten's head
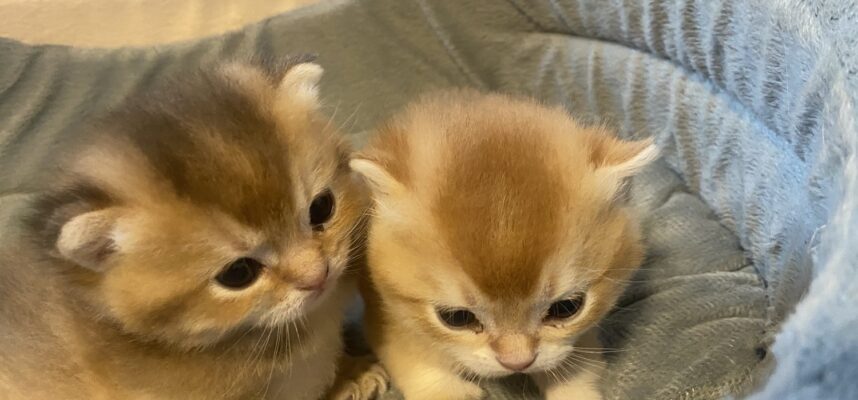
x: 214, y: 141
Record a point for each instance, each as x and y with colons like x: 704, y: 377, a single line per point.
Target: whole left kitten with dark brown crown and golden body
x: 191, y: 247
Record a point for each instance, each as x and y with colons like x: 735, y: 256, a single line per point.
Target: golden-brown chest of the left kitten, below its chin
x: 298, y: 364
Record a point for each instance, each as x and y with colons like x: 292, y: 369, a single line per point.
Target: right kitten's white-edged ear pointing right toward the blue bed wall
x: 616, y: 160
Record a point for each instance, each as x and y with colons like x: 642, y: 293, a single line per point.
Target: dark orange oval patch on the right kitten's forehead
x: 500, y: 207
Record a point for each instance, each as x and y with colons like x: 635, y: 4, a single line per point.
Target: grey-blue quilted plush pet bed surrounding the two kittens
x: 740, y: 94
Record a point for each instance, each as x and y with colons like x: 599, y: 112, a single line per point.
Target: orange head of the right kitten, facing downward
x: 499, y: 230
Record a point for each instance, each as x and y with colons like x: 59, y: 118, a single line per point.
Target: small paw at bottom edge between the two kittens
x: 364, y: 380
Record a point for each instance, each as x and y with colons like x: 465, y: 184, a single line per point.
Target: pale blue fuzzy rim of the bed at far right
x: 817, y: 348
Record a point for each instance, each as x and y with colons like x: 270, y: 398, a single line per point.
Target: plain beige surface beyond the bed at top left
x: 113, y: 23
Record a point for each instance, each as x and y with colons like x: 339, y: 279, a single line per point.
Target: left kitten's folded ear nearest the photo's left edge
x: 88, y: 239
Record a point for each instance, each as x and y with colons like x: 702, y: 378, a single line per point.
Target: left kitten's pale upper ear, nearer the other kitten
x: 300, y: 86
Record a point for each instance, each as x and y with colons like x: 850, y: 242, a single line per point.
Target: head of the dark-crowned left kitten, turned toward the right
x: 220, y: 202
